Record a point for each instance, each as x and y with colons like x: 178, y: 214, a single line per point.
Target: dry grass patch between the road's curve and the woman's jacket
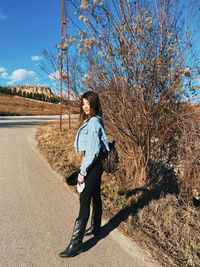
x: 58, y: 147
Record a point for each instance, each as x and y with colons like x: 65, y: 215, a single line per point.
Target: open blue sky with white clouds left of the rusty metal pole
x: 27, y: 27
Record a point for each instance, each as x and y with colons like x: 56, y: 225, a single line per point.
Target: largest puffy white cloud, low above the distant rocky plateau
x: 22, y: 76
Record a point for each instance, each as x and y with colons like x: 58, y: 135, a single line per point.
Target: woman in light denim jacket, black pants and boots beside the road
x: 91, y: 139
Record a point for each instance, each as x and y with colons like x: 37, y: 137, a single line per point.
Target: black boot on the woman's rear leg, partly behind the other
x: 95, y: 224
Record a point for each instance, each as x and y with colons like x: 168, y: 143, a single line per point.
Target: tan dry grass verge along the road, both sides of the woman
x: 166, y: 228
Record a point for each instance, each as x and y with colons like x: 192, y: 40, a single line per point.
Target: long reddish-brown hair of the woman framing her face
x: 95, y: 105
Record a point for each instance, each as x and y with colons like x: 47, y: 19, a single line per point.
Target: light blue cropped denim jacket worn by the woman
x: 90, y: 138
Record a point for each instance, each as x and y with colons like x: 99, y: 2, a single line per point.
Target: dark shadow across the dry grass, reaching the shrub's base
x: 160, y: 182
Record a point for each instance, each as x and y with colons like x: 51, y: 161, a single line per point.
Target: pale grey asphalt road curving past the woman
x: 37, y: 210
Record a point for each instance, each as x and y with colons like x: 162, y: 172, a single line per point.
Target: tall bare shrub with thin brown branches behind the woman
x: 137, y: 56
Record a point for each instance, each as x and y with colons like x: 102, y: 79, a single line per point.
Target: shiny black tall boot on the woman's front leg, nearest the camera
x: 75, y: 246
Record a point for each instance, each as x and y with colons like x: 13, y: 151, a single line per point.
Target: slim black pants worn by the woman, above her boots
x: 92, y: 190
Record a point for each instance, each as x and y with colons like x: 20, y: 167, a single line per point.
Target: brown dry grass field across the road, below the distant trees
x: 15, y: 105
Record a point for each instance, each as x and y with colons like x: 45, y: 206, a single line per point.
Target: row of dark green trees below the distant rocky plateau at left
x: 37, y: 96
